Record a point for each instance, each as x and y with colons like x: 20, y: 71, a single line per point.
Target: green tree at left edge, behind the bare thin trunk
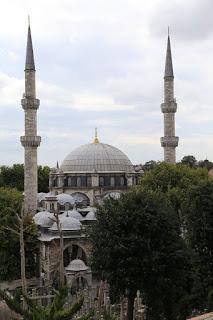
x: 10, y: 204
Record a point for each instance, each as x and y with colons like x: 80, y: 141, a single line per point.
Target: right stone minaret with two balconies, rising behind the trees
x: 169, y: 142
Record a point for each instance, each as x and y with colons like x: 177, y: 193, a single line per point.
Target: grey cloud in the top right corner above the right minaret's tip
x: 189, y: 20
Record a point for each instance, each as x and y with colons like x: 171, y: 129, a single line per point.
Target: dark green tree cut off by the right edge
x: 198, y: 210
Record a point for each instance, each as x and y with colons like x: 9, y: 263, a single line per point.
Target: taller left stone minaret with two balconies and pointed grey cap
x: 30, y: 141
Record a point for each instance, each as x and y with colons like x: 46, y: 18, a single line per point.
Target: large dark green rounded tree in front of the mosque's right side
x: 136, y: 245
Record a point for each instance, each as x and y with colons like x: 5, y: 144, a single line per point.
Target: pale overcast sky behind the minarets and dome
x: 100, y: 63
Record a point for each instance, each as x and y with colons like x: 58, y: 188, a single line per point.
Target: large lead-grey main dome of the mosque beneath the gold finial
x: 98, y: 157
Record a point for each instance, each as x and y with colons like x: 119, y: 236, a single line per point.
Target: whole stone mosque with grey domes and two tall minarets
x: 87, y: 175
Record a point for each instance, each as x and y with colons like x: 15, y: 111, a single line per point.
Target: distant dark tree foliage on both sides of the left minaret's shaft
x: 13, y: 177
